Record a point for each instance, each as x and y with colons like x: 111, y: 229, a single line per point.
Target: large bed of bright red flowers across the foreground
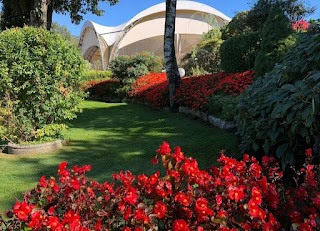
x: 237, y: 195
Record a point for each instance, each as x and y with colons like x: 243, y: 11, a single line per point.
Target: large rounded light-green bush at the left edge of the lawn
x: 40, y: 75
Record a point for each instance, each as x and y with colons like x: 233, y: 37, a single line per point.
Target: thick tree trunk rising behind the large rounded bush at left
x: 39, y: 13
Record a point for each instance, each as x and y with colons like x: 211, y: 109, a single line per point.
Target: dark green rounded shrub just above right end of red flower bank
x: 238, y: 53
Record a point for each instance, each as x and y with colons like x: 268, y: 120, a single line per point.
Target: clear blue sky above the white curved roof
x: 124, y: 10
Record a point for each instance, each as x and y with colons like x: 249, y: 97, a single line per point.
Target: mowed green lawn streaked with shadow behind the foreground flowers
x: 111, y: 138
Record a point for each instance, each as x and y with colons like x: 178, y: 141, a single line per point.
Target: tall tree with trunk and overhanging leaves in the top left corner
x: 39, y: 12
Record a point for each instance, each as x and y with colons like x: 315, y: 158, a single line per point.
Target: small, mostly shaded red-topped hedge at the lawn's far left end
x: 102, y: 89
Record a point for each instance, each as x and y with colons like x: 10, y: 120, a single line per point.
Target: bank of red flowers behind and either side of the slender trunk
x: 193, y: 92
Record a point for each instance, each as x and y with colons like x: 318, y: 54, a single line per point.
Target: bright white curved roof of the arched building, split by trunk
x: 110, y: 34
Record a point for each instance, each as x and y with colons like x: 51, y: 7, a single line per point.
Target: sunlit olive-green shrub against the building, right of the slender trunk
x: 205, y: 57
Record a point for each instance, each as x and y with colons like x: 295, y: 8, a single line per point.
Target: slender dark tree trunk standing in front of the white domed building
x: 170, y: 54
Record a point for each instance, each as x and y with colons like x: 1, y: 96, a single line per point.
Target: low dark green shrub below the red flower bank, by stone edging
x: 223, y: 106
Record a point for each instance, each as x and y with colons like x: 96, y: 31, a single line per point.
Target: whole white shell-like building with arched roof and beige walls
x: 145, y: 32
